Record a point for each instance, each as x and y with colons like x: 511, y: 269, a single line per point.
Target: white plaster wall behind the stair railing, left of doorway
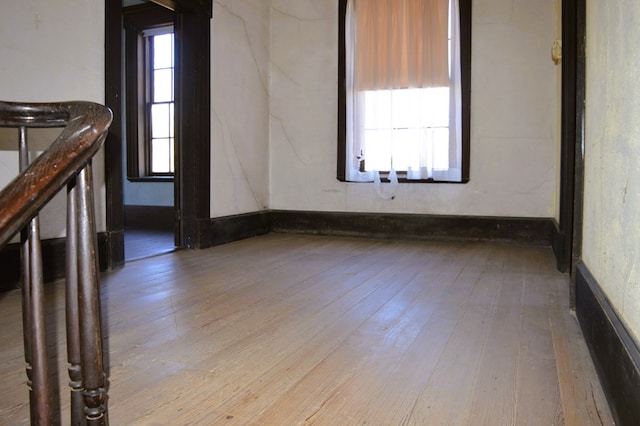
x: 52, y: 51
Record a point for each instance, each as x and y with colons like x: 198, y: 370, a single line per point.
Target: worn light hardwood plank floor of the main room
x: 290, y: 329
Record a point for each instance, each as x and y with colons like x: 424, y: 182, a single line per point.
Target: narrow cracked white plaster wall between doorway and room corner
x: 239, y: 107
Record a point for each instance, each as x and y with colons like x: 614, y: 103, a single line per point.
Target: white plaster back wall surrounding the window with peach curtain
x: 514, y: 116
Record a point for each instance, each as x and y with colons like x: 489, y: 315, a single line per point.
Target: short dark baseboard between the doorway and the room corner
x: 237, y: 227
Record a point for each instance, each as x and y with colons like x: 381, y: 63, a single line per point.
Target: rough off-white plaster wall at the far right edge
x: 611, y: 246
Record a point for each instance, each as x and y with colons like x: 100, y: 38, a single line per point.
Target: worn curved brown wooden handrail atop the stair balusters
x: 86, y: 125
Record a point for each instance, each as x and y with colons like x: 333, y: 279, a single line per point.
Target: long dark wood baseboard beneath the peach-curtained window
x: 530, y: 231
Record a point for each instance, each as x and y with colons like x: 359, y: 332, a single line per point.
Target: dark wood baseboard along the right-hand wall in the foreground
x: 614, y: 352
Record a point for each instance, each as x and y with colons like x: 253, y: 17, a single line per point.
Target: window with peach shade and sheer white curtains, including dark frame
x: 404, y: 73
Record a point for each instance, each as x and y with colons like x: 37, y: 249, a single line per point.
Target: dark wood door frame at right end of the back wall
x: 568, y: 238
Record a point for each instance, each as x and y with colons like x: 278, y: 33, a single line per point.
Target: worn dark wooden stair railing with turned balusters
x: 66, y: 163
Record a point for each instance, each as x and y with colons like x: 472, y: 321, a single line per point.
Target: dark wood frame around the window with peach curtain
x: 465, y: 52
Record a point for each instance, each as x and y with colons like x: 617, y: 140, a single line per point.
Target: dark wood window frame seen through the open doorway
x: 138, y: 19
